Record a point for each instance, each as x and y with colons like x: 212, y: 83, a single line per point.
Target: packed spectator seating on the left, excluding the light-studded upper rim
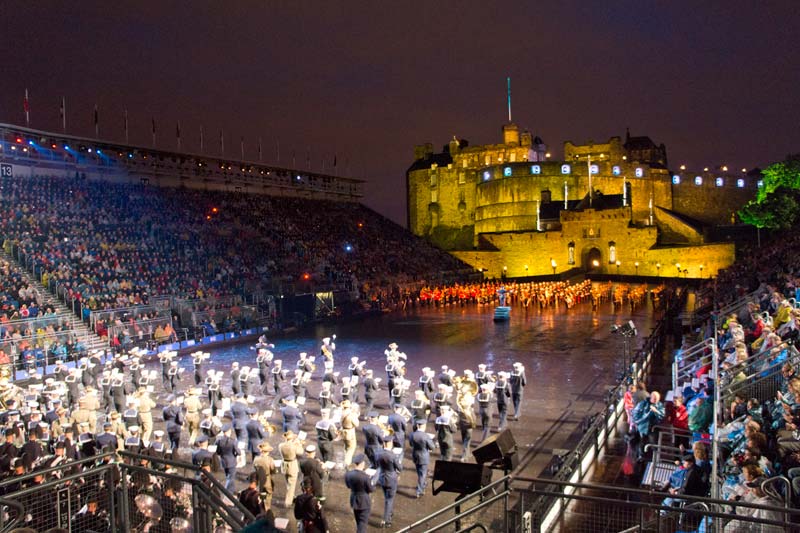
x: 114, y: 245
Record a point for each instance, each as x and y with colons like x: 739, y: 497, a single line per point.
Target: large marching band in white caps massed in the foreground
x: 327, y: 417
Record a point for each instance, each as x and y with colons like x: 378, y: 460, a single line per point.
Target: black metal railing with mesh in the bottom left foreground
x: 137, y: 493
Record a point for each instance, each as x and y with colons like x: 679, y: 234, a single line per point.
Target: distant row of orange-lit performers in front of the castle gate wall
x: 542, y: 294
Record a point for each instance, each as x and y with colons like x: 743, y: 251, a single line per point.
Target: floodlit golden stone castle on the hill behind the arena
x: 509, y: 209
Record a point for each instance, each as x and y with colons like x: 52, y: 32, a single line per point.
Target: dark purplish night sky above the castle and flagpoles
x: 716, y: 81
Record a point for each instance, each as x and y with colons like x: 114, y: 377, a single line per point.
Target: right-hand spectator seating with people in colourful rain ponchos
x: 757, y: 384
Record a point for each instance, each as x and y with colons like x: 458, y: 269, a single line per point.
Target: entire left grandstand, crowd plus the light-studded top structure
x: 113, y: 227
